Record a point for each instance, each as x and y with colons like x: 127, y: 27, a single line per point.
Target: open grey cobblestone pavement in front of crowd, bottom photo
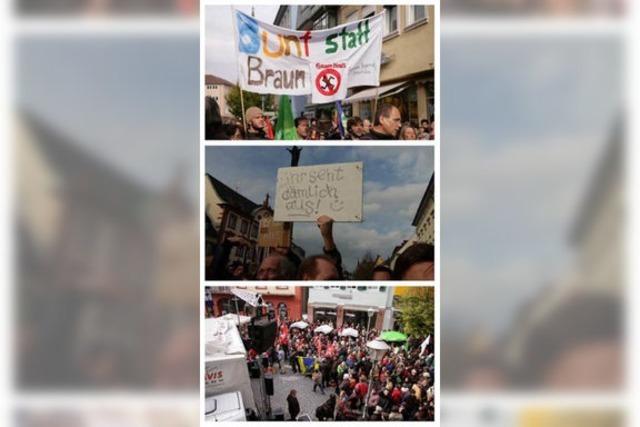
x: 283, y: 384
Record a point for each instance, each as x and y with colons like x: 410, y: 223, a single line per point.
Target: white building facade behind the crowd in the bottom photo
x: 367, y: 306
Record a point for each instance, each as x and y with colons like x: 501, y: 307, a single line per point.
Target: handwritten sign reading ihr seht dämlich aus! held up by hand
x: 306, y: 192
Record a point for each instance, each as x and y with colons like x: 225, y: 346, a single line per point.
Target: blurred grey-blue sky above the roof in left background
x: 130, y: 101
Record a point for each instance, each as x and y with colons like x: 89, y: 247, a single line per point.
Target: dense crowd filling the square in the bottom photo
x: 402, y: 383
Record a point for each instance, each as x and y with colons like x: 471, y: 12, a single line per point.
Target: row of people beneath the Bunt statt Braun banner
x: 387, y: 124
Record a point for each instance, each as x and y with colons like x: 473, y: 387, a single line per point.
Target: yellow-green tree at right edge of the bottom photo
x: 417, y: 311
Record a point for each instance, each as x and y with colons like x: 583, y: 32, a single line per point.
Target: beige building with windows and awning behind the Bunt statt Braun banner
x: 406, y: 66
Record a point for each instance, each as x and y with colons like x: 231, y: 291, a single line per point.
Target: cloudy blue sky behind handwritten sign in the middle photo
x: 395, y: 179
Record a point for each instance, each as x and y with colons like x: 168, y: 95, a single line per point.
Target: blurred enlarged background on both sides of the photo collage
x: 106, y: 142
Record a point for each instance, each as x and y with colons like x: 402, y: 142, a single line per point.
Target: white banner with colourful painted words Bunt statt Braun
x: 323, y: 63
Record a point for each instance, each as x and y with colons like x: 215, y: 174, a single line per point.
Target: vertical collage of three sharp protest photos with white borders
x: 320, y: 154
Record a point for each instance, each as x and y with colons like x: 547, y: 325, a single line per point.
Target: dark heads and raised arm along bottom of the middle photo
x: 415, y: 263
